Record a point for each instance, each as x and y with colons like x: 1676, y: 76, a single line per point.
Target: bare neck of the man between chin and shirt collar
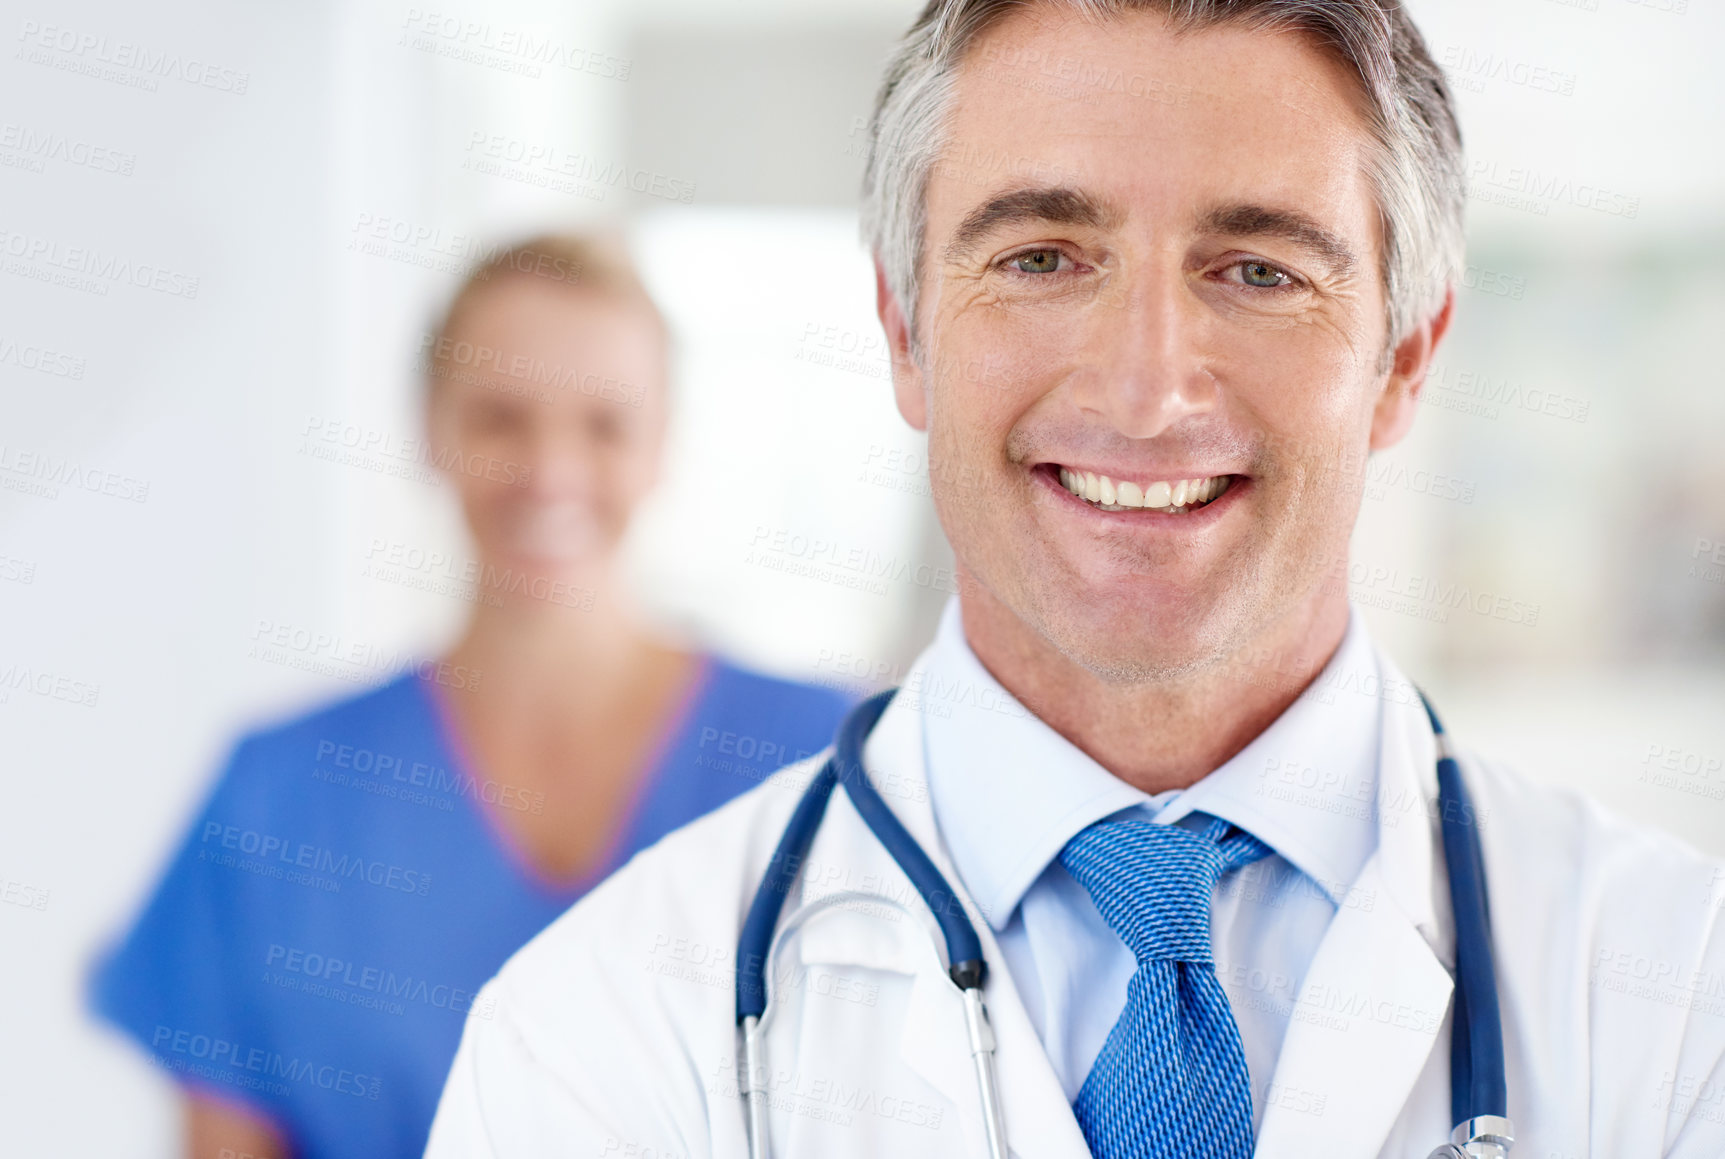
x: 1160, y: 734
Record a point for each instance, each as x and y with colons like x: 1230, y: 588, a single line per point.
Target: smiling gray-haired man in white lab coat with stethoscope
x: 1162, y: 856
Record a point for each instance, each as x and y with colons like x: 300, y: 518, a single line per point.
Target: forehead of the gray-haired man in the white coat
x: 1072, y: 118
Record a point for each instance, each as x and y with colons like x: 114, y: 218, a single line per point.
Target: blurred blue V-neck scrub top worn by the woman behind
x: 346, y: 893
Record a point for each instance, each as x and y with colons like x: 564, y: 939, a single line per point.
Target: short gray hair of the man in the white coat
x: 1417, y: 172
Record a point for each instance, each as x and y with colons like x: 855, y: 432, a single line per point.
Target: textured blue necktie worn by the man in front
x: 1172, y: 1075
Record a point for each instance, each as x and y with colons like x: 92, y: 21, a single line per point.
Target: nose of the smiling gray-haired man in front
x: 1148, y: 365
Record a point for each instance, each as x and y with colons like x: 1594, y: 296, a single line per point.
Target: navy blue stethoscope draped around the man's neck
x: 1477, y: 1096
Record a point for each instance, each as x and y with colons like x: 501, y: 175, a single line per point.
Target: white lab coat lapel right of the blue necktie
x: 1376, y: 996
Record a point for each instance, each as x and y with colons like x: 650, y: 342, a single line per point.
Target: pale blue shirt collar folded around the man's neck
x: 1010, y: 793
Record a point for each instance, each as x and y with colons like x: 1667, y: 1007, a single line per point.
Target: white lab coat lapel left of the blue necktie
x: 1039, y: 1122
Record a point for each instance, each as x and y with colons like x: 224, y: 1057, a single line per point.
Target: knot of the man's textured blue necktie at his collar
x: 1153, y: 882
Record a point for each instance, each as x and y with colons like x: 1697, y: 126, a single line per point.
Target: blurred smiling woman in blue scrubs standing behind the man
x: 306, y: 965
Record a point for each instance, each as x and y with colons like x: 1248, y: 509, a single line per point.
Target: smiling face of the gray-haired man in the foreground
x: 1165, y: 275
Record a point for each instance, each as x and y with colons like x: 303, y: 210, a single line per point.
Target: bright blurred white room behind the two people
x: 227, y: 234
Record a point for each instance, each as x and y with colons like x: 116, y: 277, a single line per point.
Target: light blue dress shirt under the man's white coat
x: 1010, y: 793
